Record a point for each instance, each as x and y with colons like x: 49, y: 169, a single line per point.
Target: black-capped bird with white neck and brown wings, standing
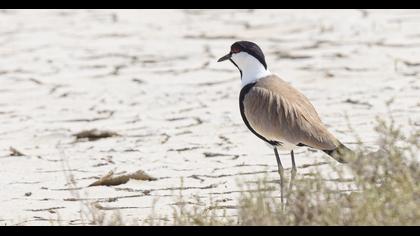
x: 278, y: 113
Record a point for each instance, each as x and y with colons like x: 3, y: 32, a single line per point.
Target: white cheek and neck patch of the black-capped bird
x: 252, y: 69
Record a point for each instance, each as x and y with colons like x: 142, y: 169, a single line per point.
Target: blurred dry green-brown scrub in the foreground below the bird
x: 384, y: 190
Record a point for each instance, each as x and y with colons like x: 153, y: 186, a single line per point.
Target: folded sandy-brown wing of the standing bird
x: 277, y: 111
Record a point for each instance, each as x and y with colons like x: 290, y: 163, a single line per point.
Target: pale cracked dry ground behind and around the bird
x: 151, y: 76
